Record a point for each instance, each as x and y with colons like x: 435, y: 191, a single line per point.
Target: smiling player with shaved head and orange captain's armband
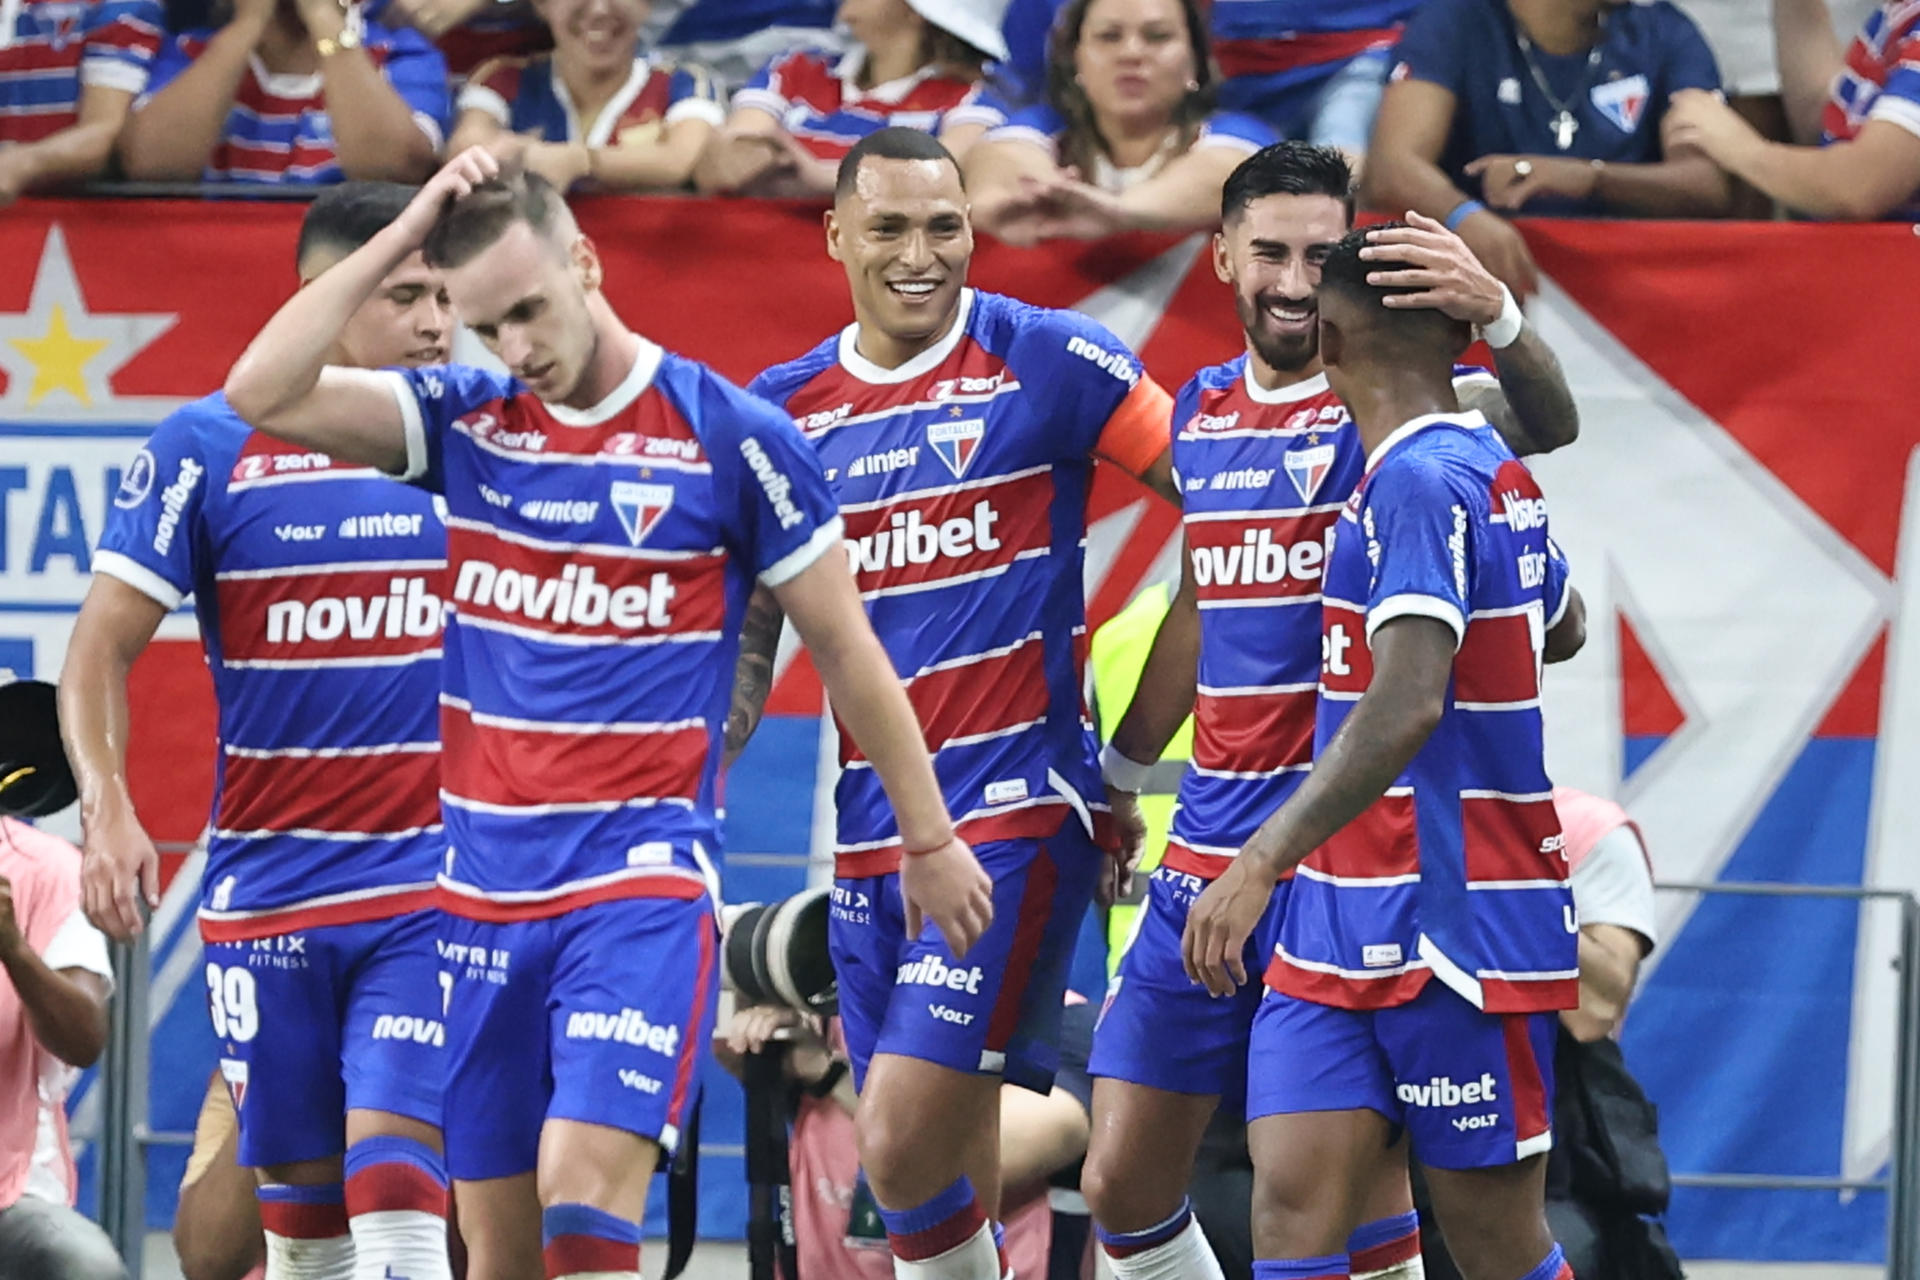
x: 959, y: 431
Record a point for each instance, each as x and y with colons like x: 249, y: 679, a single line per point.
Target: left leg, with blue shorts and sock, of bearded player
x: 1164, y: 1055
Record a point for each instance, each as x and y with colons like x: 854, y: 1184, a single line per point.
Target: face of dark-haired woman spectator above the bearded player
x: 1136, y: 59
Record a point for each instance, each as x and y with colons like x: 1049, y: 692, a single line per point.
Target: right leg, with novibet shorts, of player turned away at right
x: 1479, y: 1093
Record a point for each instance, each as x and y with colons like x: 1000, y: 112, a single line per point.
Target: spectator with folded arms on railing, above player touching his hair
x: 596, y: 112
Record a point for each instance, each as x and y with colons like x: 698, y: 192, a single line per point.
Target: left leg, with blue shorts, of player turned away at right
x: 1320, y: 1118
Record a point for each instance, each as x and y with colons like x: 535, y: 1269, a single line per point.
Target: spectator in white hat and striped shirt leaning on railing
x: 915, y: 64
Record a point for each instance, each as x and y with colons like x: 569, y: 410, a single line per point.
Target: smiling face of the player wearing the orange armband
x: 905, y: 239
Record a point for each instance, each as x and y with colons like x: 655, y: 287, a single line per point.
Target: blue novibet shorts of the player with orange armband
x: 997, y: 1012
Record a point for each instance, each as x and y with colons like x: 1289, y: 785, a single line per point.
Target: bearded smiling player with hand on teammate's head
x: 1268, y: 456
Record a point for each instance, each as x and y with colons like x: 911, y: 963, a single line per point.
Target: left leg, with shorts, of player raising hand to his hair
x: 498, y: 1085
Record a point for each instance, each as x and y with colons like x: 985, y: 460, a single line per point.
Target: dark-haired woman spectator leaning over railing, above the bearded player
x: 1128, y: 137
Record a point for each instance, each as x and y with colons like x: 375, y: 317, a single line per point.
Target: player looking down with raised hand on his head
x: 610, y: 508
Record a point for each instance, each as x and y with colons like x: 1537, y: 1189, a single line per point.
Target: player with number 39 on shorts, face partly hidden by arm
x: 318, y: 588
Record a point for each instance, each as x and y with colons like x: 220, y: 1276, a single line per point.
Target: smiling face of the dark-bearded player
x: 1272, y: 252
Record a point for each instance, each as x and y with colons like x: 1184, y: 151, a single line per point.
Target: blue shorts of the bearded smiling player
x: 1163, y: 1030
